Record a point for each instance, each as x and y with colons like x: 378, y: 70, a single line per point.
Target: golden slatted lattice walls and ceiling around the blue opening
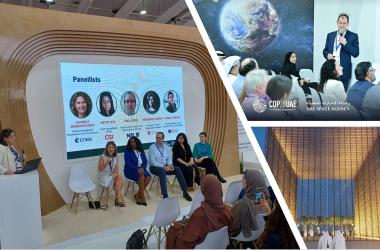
x: 332, y: 154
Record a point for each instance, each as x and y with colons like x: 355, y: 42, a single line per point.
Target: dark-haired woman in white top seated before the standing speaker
x: 329, y: 83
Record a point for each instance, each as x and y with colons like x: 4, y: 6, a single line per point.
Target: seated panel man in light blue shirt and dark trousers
x: 161, y: 165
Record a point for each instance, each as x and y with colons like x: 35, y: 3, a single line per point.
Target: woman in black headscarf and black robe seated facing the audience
x: 289, y: 69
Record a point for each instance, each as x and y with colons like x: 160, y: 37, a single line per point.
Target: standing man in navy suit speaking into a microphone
x: 341, y: 45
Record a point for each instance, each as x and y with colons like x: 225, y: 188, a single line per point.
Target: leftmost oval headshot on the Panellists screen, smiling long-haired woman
x: 80, y: 104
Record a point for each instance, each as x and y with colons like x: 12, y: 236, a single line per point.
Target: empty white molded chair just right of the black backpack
x: 166, y: 213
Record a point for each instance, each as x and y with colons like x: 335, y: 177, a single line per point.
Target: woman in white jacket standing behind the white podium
x: 10, y: 159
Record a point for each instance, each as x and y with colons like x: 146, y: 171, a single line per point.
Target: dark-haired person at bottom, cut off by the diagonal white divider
x: 277, y: 233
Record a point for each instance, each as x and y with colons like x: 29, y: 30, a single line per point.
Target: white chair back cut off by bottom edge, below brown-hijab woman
x: 215, y: 240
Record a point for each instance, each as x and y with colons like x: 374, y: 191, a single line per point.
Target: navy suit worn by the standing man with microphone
x: 350, y: 49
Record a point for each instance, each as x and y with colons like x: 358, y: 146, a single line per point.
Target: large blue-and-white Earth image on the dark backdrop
x: 249, y: 25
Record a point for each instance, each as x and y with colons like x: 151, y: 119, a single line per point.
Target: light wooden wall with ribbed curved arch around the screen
x: 29, y: 35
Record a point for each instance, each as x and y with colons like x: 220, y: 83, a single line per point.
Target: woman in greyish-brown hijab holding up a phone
x: 245, y: 210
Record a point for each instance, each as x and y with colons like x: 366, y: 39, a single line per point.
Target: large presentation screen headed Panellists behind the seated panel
x: 104, y: 102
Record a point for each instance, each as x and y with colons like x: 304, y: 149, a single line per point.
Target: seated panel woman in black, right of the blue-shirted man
x: 183, y: 158
